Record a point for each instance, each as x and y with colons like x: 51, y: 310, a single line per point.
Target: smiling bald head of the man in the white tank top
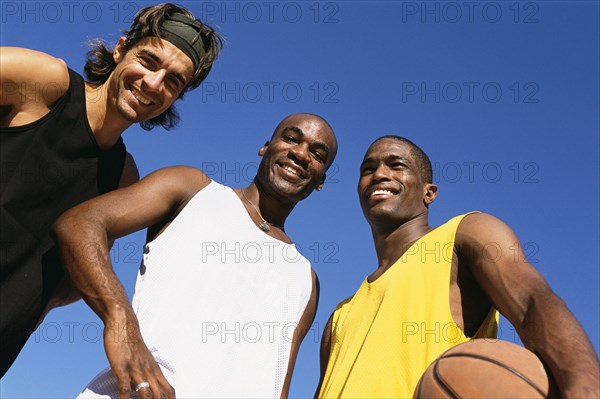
x: 296, y: 158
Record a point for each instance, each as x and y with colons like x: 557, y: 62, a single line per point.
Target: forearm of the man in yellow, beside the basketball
x: 551, y: 331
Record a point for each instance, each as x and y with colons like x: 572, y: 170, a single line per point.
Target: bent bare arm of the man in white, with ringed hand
x: 83, y: 234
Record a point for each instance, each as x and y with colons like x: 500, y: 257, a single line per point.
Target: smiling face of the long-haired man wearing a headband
x: 148, y: 78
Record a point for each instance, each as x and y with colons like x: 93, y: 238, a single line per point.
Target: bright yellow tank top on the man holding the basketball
x: 384, y: 337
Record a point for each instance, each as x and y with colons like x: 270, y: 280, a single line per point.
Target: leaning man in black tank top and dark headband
x: 61, y: 147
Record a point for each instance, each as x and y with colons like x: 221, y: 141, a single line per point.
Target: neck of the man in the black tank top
x: 105, y: 122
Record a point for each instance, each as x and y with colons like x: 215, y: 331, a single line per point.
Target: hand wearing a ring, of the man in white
x: 132, y: 363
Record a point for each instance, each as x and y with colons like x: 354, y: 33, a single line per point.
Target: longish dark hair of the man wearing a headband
x: 100, y: 63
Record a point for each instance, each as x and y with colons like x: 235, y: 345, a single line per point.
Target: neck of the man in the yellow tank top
x: 392, y: 244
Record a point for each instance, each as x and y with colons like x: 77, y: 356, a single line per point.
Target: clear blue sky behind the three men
x: 503, y: 96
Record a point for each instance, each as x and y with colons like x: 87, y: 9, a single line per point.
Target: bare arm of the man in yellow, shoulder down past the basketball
x: 545, y: 325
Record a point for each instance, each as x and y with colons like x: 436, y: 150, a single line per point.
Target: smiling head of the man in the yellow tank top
x: 391, y: 188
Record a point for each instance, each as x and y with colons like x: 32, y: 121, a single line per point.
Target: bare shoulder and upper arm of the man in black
x: 31, y: 82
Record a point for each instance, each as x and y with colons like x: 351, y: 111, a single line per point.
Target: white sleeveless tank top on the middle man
x: 218, y: 300
